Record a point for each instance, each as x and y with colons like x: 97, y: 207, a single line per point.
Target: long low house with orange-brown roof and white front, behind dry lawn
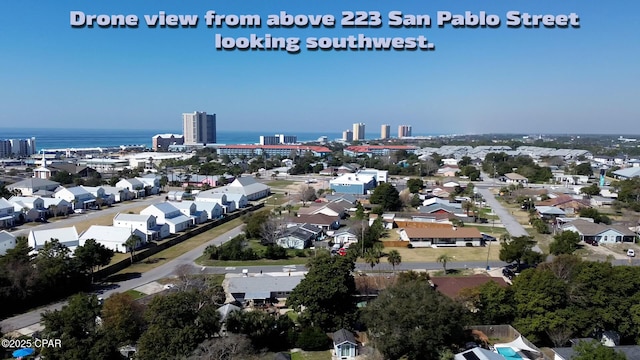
x: 453, y: 236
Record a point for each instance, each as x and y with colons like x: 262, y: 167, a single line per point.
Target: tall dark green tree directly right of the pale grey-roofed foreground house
x: 326, y: 292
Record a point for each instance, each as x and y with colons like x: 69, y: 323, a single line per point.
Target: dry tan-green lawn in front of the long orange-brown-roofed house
x: 460, y: 254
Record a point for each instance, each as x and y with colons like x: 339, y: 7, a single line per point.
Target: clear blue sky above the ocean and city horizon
x: 476, y: 80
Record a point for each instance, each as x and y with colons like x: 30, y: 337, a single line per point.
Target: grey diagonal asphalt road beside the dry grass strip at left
x: 165, y: 270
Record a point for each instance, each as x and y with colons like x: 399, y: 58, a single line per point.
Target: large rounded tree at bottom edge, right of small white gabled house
x: 413, y: 321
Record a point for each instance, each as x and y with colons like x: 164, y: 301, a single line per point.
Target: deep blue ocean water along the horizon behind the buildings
x: 82, y: 138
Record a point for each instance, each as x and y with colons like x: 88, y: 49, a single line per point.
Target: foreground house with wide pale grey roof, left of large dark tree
x: 260, y: 289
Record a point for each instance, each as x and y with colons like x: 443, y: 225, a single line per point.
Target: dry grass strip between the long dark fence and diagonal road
x: 181, y: 248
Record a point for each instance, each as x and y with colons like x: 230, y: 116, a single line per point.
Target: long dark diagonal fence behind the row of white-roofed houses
x: 156, y: 248
